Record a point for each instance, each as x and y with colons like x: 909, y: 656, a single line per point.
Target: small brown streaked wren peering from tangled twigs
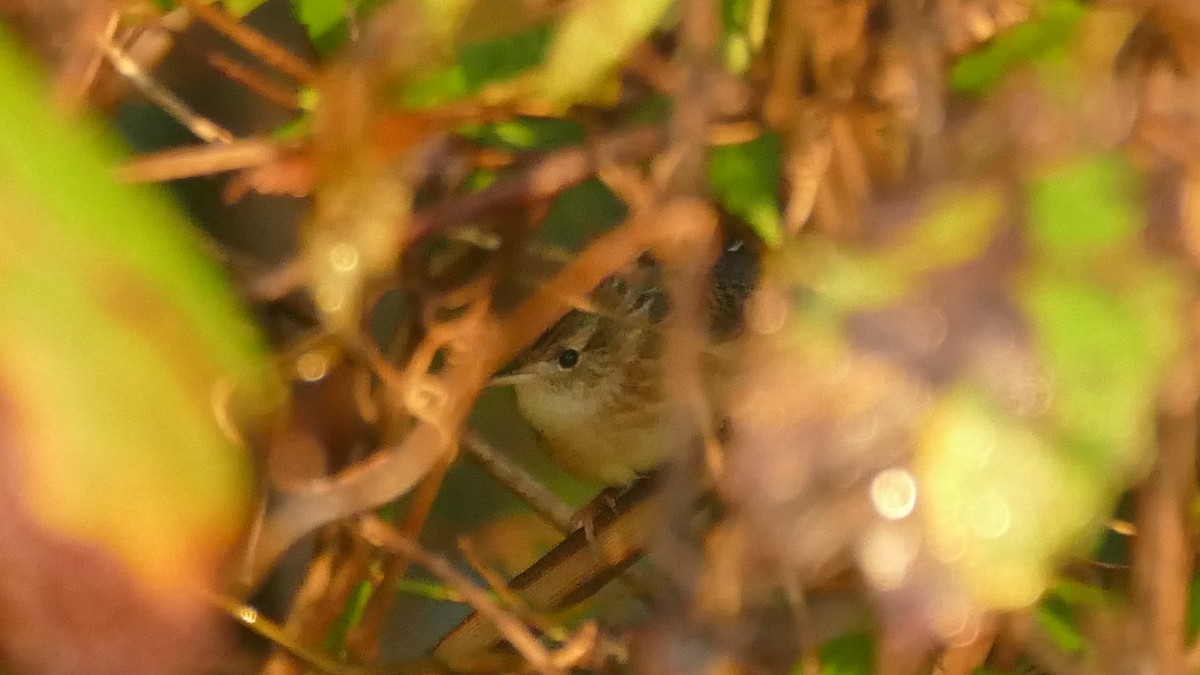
x: 593, y: 386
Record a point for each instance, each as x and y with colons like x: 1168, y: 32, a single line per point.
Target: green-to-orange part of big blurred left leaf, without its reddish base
x: 122, y: 350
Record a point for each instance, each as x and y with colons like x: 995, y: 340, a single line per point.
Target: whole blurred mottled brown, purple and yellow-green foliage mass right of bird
x: 967, y: 399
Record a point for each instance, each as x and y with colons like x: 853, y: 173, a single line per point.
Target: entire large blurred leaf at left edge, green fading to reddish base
x: 121, y: 347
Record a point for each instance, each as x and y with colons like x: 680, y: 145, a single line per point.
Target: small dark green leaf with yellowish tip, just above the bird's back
x: 746, y: 181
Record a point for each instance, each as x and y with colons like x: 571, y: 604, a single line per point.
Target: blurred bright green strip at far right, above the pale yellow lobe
x: 1107, y: 316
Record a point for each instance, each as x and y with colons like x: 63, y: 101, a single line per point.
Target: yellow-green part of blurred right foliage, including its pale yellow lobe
x: 1106, y: 322
